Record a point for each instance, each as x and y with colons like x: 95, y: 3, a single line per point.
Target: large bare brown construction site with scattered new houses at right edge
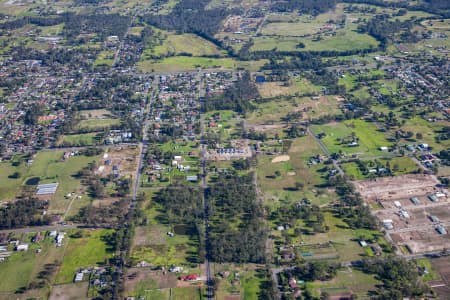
x: 413, y: 210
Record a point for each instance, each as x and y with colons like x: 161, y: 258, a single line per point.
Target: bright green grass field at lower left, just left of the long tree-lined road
x: 90, y: 250
